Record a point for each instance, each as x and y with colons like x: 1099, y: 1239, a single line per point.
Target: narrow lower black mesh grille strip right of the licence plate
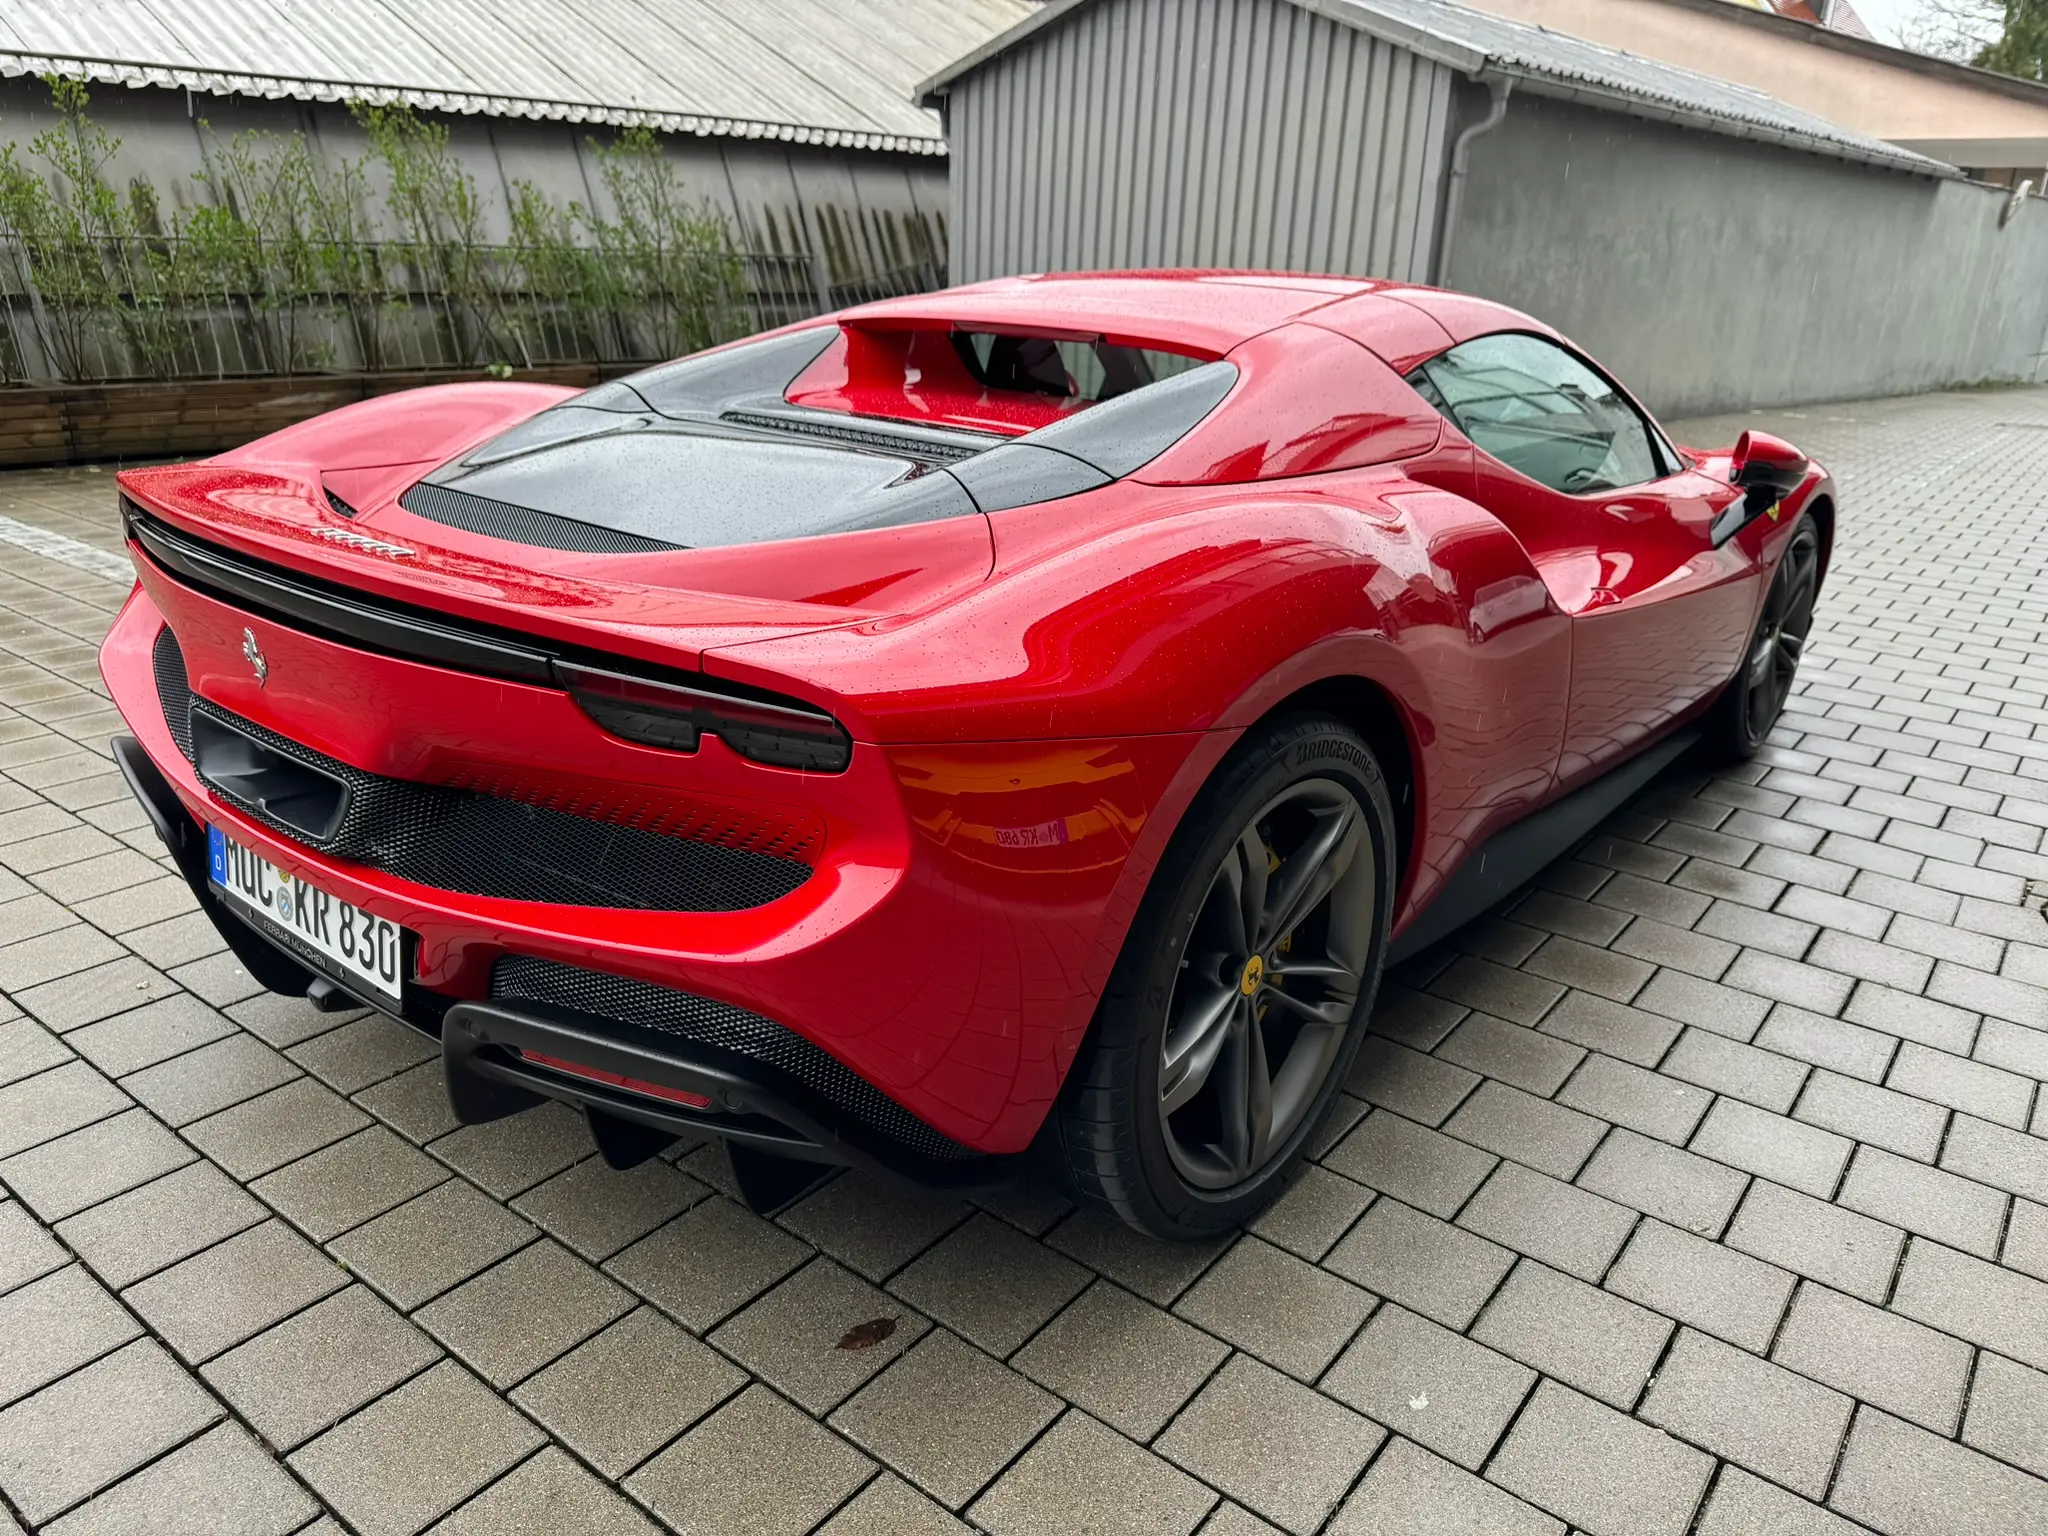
x: 701, y: 1021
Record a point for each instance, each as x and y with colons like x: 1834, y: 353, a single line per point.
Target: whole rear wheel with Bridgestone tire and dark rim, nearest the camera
x: 1242, y: 990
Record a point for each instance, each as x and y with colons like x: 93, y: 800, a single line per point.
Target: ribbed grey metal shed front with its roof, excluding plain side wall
x: 1283, y: 134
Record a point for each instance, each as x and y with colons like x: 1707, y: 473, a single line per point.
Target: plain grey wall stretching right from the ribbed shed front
x: 1719, y: 275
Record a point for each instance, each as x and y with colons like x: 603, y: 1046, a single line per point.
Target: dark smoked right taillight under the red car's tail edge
x: 675, y: 716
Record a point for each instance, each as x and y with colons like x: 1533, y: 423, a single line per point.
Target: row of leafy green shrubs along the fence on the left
x: 298, y: 261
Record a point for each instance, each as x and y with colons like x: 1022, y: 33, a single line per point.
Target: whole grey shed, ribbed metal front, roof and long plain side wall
x: 1623, y: 200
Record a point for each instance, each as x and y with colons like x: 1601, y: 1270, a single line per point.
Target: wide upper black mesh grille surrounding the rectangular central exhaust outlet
x: 493, y: 847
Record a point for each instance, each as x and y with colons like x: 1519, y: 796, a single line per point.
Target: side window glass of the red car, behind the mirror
x: 1541, y: 411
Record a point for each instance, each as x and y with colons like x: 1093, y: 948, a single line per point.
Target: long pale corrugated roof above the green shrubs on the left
x: 835, y: 73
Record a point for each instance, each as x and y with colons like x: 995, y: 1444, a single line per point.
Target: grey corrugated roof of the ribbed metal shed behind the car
x: 1553, y: 65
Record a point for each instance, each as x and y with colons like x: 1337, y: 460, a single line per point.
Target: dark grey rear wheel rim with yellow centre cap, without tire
x: 1269, y: 984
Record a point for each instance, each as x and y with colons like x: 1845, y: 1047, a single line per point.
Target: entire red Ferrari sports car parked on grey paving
x: 1013, y: 720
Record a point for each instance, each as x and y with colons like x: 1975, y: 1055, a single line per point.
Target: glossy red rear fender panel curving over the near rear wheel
x: 1140, y: 613
